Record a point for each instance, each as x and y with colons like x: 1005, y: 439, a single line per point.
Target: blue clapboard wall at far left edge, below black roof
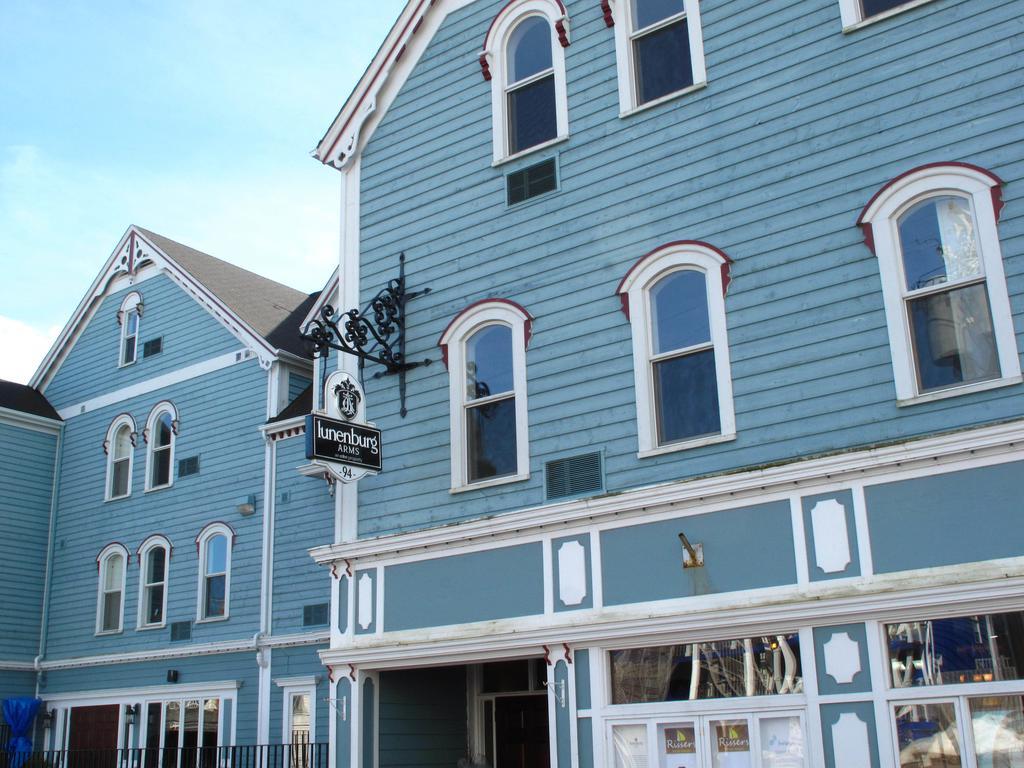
x: 27, y: 464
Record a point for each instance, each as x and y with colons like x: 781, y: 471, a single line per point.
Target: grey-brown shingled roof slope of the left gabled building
x: 272, y: 310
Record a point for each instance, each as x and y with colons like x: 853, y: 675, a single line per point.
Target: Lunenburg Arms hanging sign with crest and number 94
x: 340, y: 440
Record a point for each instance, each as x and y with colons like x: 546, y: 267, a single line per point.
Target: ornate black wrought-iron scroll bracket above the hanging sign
x: 375, y: 334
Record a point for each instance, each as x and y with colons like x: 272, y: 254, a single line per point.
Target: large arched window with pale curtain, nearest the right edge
x: 934, y: 232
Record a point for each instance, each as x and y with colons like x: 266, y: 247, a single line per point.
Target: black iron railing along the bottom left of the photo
x: 248, y: 756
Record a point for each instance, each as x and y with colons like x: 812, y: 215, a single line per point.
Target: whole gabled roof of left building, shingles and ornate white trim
x: 265, y: 315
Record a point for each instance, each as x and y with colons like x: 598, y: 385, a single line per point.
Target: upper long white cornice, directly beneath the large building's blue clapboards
x: 1001, y: 439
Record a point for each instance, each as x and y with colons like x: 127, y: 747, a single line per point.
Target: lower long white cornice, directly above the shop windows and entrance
x: 992, y: 587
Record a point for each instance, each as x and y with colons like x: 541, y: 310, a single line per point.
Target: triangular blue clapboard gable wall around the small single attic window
x: 190, y: 335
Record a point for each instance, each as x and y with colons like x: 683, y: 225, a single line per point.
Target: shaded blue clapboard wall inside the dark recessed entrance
x: 423, y: 717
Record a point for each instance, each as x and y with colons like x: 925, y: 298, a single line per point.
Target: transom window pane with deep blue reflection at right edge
x: 964, y: 650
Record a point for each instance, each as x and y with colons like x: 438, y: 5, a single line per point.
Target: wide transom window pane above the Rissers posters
x: 724, y: 669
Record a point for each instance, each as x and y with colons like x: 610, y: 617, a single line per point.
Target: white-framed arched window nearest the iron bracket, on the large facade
x: 486, y: 351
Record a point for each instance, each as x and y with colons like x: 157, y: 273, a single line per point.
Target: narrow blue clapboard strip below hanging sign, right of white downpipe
x: 304, y: 517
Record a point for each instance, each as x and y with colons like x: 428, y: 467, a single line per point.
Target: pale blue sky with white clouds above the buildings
x: 195, y: 120
